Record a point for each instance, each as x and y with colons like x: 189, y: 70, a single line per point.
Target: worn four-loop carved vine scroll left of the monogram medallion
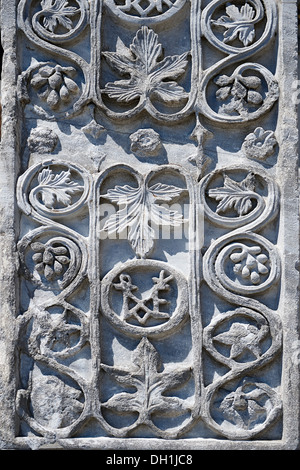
x: 52, y: 331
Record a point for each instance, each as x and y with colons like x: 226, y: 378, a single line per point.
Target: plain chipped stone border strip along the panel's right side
x: 289, y: 236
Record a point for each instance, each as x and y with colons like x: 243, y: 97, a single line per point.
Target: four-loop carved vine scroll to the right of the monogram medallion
x: 239, y: 266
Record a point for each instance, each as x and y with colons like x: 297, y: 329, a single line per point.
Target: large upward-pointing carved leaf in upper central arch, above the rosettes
x: 148, y: 75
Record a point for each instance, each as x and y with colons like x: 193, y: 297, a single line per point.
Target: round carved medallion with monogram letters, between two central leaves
x: 145, y: 298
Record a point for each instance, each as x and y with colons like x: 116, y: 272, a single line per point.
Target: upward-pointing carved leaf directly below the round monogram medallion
x: 150, y: 384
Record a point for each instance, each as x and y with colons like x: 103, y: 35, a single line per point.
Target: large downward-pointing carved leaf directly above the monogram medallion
x: 140, y: 208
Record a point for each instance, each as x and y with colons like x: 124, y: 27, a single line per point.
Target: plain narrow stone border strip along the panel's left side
x: 8, y: 224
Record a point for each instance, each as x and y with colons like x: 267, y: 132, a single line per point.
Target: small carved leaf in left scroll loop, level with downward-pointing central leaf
x: 57, y: 188
